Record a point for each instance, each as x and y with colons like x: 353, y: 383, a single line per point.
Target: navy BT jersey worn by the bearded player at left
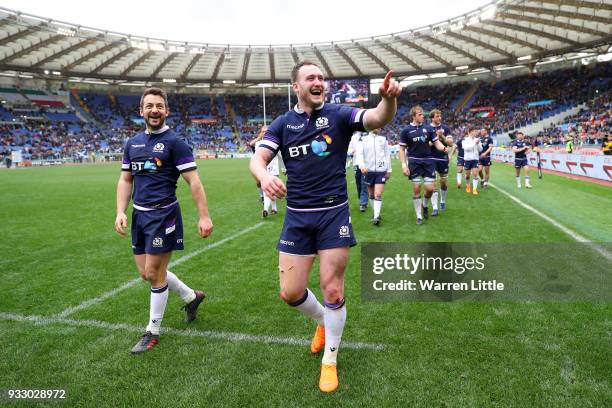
x: 156, y: 161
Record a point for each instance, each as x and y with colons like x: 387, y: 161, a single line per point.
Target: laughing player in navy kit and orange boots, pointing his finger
x: 313, y: 139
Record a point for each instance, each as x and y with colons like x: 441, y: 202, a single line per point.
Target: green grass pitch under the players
x: 247, y: 348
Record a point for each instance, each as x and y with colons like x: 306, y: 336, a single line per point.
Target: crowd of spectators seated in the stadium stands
x: 227, y: 123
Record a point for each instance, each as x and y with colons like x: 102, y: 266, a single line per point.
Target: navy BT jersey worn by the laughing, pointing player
x: 314, y: 150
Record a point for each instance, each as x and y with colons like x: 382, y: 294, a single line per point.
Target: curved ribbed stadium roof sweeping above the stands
x: 501, y: 33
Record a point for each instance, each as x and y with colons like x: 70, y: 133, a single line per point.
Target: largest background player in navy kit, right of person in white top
x: 419, y: 167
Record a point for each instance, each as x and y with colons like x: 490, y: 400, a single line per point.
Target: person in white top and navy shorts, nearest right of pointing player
x: 374, y: 159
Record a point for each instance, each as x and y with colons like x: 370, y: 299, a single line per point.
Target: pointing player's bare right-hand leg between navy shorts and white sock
x: 332, y: 266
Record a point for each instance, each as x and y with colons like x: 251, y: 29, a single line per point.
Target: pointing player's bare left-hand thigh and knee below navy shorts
x: 293, y: 275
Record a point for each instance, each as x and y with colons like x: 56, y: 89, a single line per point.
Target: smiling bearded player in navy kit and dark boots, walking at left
x: 153, y: 160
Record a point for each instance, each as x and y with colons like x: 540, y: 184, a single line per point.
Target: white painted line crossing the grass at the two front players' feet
x: 227, y: 336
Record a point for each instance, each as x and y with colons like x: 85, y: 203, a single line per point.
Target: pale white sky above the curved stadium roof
x: 249, y: 21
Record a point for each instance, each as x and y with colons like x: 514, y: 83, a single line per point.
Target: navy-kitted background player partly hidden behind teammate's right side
x: 440, y: 159
